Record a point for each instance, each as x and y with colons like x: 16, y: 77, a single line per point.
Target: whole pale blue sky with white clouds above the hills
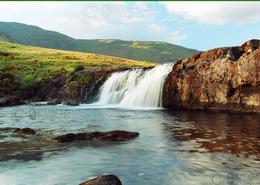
x: 197, y: 25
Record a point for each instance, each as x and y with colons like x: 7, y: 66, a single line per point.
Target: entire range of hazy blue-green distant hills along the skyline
x: 160, y: 52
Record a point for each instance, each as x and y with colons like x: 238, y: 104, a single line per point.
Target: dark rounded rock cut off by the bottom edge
x: 103, y: 180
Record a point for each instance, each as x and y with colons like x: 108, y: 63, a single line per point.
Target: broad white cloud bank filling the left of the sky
x: 117, y: 20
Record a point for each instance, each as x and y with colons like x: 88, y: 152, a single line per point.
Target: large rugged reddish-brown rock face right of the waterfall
x: 219, y: 79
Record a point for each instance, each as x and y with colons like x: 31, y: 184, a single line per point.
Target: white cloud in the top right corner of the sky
x: 216, y: 12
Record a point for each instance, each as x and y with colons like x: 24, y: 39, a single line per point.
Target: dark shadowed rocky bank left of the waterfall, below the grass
x: 64, y: 87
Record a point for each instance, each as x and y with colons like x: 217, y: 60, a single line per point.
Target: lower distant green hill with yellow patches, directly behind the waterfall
x: 160, y: 52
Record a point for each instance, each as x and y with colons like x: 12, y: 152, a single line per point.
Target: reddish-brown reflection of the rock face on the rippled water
x: 217, y: 132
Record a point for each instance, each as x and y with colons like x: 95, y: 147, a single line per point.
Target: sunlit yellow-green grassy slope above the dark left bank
x: 27, y: 62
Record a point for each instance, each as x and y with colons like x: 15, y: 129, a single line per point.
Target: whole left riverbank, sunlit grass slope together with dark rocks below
x: 30, y: 74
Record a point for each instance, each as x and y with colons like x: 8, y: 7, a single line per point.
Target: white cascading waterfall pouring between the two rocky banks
x: 135, y: 87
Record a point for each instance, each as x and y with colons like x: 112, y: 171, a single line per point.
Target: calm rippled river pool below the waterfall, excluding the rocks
x: 174, y: 148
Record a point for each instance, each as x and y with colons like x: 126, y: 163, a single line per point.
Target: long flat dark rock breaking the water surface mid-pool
x: 117, y: 135
